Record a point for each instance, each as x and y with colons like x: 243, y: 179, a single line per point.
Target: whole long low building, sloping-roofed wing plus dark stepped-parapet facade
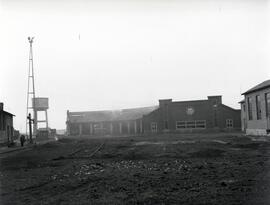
x: 169, y: 116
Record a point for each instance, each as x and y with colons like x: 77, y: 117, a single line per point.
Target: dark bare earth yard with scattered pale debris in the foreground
x: 165, y: 169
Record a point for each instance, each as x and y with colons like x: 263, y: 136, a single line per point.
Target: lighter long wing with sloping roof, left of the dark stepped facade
x: 109, y: 122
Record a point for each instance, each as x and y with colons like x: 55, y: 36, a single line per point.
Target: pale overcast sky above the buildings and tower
x: 100, y: 54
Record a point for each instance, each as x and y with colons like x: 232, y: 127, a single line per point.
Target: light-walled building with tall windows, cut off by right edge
x: 255, y: 109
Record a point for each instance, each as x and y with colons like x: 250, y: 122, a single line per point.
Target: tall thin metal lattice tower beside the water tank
x: 31, y: 87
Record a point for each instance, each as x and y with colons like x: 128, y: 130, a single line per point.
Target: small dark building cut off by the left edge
x: 6, y: 125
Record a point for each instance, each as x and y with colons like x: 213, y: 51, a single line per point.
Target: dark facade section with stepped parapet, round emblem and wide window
x: 192, y: 116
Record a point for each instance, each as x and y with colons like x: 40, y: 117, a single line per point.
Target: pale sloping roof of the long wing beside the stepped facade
x: 110, y: 115
